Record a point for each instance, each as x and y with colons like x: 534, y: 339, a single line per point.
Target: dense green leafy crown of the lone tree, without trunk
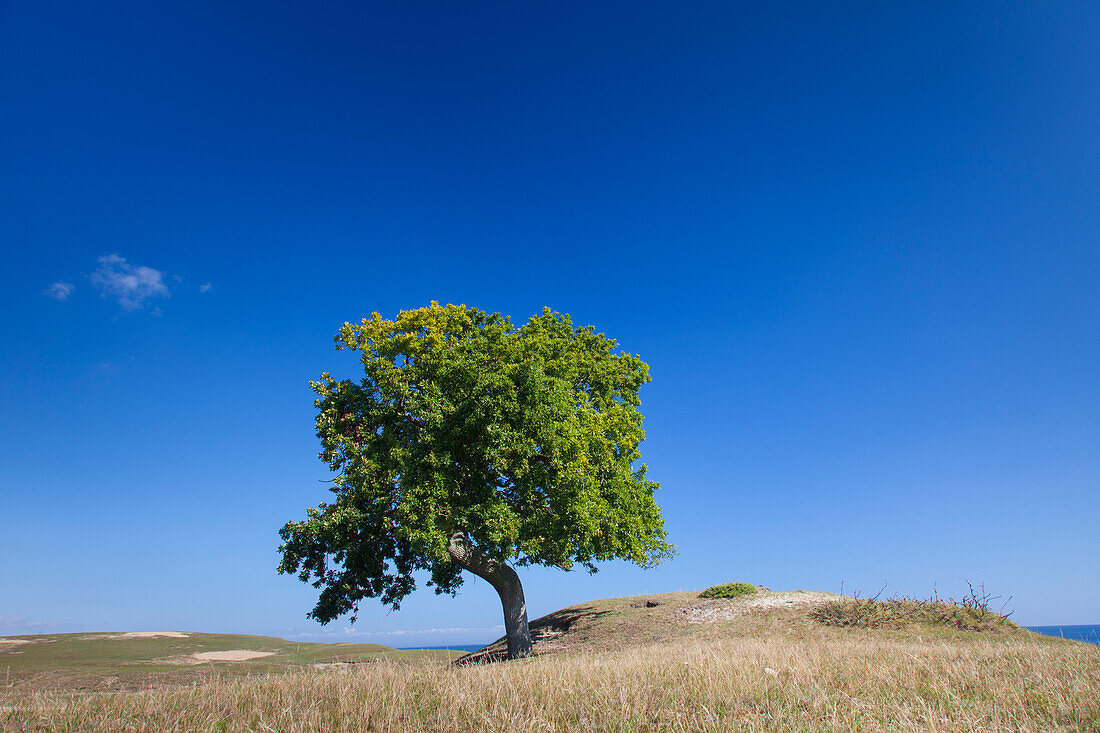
x: 524, y: 439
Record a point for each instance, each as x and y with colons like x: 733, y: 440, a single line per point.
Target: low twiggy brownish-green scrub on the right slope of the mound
x: 972, y: 614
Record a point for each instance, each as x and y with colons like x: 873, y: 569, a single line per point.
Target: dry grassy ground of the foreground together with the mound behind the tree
x: 686, y: 664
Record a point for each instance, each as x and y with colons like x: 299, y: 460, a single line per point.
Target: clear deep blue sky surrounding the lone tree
x: 857, y: 246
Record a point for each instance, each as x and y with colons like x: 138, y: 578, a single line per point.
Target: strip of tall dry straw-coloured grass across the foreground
x: 848, y: 682
